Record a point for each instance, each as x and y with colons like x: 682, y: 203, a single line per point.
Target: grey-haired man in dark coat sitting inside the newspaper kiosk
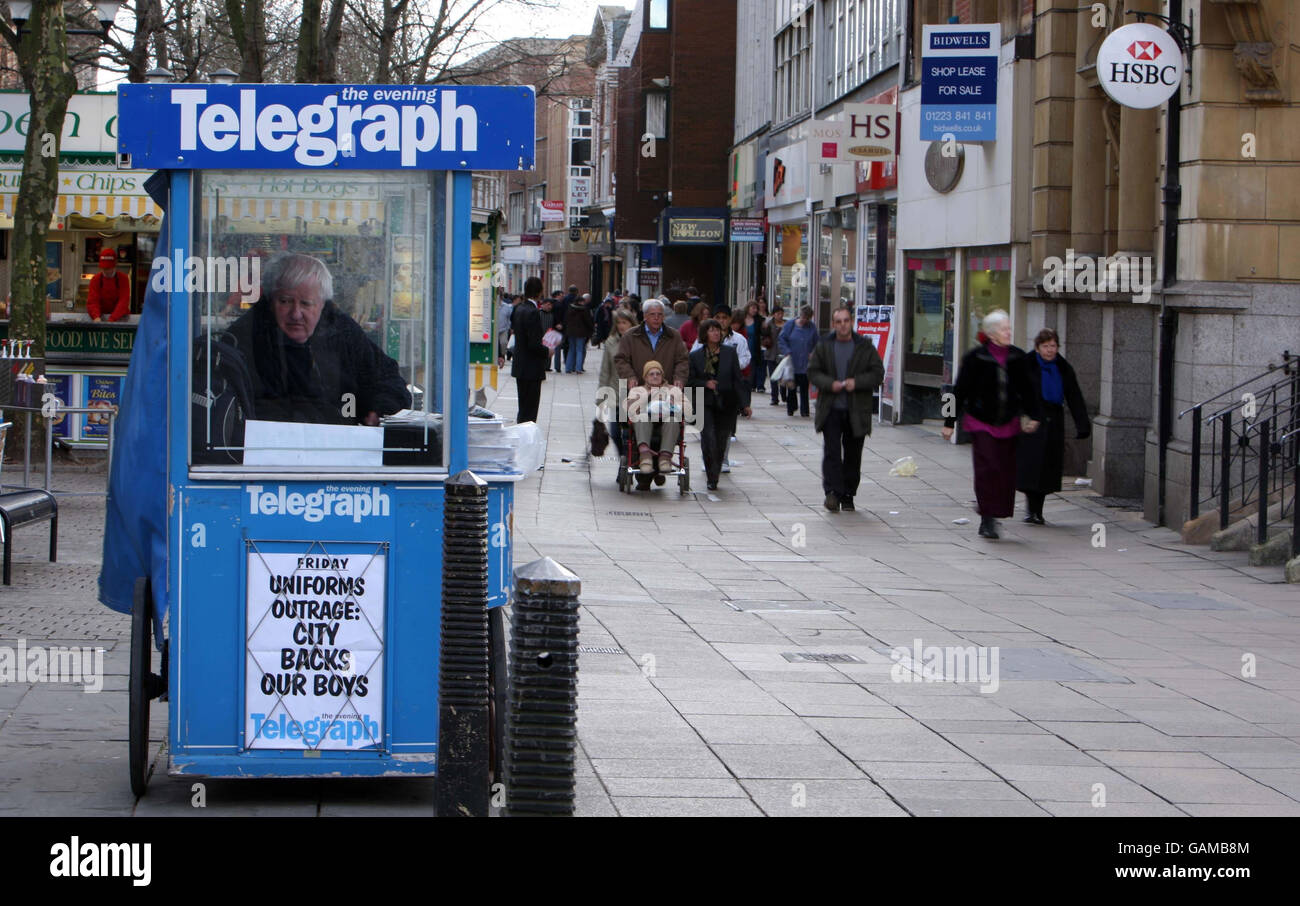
x: 310, y: 362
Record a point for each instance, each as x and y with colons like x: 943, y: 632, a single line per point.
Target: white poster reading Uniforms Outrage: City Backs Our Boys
x: 315, y: 651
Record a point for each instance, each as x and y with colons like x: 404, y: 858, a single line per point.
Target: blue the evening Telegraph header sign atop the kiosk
x: 336, y: 127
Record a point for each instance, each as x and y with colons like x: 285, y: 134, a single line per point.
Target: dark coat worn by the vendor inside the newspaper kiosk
x: 310, y: 382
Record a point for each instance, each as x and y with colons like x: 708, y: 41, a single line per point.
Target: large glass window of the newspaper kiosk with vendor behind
x: 317, y: 320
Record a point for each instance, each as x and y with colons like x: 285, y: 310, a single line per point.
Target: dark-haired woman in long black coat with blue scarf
x: 1041, y: 457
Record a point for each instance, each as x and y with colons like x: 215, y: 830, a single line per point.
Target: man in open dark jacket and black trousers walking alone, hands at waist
x: 846, y: 370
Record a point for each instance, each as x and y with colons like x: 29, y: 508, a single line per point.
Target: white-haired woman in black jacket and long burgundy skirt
x: 995, y: 402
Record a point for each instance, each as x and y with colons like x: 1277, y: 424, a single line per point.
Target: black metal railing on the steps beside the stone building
x: 1251, y: 447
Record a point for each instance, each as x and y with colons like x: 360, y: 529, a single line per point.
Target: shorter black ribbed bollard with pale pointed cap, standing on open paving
x: 543, y: 725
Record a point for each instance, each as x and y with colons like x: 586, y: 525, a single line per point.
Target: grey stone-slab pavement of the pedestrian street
x: 1134, y: 675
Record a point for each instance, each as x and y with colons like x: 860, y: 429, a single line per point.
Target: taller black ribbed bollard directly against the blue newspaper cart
x: 461, y: 788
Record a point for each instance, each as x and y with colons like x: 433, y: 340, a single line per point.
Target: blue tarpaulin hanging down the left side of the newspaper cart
x: 136, y: 521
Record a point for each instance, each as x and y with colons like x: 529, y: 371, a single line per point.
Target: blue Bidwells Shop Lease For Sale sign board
x: 959, y: 83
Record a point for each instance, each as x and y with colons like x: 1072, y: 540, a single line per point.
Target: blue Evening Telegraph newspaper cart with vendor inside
x: 309, y: 320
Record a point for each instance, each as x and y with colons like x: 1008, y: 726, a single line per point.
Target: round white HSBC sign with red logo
x: 1139, y: 66
